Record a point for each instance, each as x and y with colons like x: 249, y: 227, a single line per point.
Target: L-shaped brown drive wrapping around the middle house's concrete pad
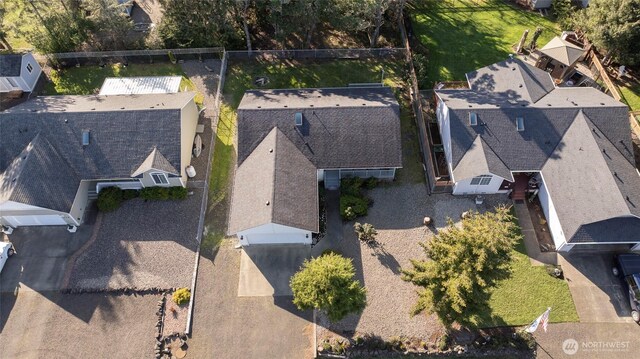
x: 228, y: 326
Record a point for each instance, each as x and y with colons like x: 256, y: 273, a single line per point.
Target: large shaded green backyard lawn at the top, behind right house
x: 464, y: 35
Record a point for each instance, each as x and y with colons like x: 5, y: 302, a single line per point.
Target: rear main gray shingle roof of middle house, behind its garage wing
x: 342, y: 128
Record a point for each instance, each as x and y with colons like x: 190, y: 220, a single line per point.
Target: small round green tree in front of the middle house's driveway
x: 327, y: 283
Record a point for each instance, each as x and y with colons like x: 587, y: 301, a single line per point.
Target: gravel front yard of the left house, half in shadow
x: 142, y: 245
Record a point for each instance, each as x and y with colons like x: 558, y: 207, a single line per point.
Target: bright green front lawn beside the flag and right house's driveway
x: 521, y: 298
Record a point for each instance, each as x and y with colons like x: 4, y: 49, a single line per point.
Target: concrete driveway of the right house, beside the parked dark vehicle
x: 597, y: 294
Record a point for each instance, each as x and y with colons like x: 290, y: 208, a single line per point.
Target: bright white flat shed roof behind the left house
x: 140, y: 85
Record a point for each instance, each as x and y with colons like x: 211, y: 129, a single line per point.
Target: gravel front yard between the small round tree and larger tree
x: 397, y: 214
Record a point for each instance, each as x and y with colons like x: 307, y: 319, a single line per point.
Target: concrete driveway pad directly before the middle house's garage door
x: 265, y: 270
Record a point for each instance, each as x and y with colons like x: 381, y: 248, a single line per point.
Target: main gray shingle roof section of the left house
x: 120, y: 140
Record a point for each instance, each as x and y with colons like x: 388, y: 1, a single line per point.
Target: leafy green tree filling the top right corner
x: 613, y: 26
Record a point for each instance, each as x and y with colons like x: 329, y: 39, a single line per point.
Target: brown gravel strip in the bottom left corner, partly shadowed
x: 56, y: 326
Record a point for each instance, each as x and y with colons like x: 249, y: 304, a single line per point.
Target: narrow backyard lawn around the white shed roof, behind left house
x: 86, y: 80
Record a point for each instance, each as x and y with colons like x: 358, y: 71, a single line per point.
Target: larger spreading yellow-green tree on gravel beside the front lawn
x: 465, y: 263
